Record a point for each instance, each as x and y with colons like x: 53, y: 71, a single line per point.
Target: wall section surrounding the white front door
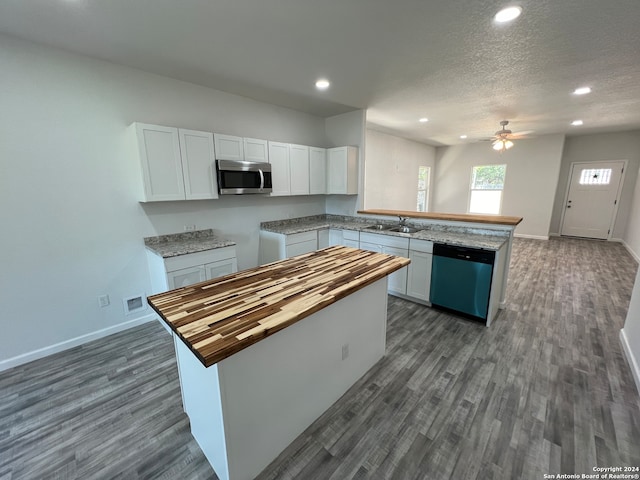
x: 598, y: 148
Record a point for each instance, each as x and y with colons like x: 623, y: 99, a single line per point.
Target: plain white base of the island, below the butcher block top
x: 249, y: 407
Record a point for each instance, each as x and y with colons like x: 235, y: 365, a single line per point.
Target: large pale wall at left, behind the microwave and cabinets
x: 72, y: 226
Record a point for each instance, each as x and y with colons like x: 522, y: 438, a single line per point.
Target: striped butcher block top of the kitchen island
x: 220, y: 317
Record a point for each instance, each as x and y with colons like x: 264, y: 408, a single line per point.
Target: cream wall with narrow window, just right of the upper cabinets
x: 391, y: 171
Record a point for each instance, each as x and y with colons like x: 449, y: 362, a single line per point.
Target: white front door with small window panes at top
x: 591, y: 204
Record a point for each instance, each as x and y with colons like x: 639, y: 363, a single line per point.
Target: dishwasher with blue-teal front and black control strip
x: 461, y: 280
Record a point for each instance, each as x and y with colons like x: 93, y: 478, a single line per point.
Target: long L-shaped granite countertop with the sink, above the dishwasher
x: 460, y: 236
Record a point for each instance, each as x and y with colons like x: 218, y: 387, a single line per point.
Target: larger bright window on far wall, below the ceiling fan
x: 487, y: 183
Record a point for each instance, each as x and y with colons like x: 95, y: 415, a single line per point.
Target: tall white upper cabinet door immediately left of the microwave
x: 198, y: 166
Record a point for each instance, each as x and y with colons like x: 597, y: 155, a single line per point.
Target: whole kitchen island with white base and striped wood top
x: 248, y: 391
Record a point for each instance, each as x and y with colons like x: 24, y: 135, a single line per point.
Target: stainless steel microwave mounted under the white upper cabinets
x: 237, y: 177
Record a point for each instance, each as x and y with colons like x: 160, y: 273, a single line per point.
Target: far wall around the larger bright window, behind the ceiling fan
x: 530, y: 184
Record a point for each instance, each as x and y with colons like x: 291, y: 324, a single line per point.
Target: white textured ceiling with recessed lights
x: 401, y: 60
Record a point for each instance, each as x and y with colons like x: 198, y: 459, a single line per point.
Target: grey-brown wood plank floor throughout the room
x: 546, y: 389
